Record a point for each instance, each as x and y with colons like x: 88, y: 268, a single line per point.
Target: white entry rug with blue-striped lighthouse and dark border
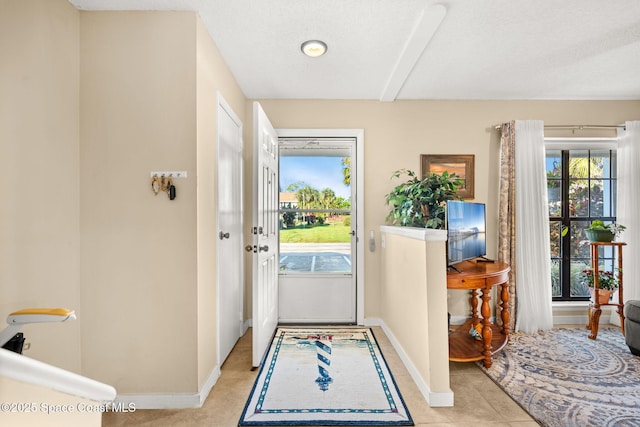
x: 328, y: 376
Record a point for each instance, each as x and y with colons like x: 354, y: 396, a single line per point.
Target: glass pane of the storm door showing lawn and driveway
x: 315, y: 213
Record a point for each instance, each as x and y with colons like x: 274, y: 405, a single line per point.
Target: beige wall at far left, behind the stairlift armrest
x: 39, y: 171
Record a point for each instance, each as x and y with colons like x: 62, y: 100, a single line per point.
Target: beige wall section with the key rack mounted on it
x: 139, y: 250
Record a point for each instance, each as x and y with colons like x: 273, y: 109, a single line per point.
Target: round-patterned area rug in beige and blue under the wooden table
x: 562, y: 378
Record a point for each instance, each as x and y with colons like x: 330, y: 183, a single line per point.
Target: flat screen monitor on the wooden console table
x: 466, y: 231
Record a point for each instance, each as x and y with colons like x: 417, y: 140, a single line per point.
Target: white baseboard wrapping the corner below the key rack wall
x: 173, y: 400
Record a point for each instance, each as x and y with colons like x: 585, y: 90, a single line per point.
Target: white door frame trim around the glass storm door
x: 358, y: 134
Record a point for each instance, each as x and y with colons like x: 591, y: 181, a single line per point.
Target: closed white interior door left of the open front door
x: 230, y: 225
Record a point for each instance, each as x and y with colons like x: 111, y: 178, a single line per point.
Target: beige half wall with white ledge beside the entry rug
x: 414, y: 305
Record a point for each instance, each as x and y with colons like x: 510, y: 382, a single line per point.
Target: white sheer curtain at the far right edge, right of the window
x: 628, y: 204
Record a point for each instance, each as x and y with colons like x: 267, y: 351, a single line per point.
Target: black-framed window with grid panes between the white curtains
x: 581, y: 186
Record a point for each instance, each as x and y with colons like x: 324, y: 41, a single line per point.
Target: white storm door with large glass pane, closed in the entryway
x: 318, y: 238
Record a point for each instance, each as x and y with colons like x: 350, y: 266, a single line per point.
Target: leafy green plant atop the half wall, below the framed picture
x: 421, y: 202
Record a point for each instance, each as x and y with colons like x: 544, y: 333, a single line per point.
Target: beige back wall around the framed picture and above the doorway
x: 396, y: 133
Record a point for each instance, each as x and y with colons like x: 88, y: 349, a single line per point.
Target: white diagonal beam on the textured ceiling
x: 427, y: 25
